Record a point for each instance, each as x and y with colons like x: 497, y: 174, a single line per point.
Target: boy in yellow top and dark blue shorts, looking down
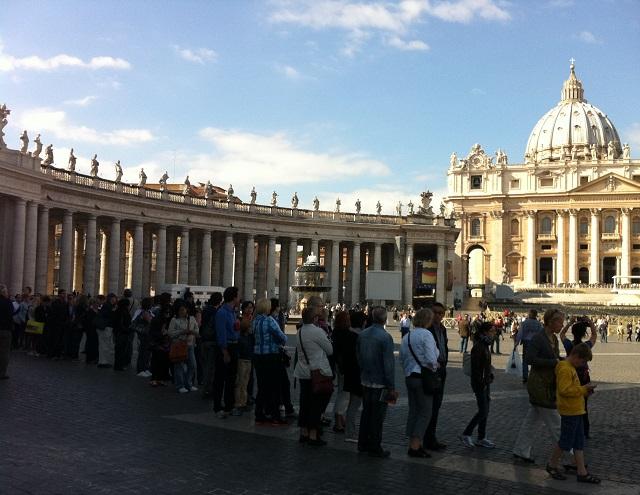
x: 571, y: 396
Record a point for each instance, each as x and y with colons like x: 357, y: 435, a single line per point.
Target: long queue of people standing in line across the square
x: 236, y: 352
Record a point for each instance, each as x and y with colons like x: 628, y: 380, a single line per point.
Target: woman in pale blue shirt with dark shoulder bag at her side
x: 417, y: 351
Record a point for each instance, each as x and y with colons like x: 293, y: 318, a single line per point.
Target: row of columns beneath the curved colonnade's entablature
x: 54, y: 248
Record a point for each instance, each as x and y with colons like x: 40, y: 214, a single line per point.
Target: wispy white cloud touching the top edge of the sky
x: 360, y: 19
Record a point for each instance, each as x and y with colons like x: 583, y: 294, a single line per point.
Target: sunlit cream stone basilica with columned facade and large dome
x: 569, y: 215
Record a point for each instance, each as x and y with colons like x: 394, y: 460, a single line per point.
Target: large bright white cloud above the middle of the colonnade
x: 244, y: 159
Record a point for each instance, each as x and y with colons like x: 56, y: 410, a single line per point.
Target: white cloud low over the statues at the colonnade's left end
x: 46, y: 120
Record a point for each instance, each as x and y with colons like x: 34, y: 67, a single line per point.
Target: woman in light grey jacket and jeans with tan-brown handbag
x: 184, y: 328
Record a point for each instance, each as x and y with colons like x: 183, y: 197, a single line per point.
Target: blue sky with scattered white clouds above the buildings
x: 335, y: 98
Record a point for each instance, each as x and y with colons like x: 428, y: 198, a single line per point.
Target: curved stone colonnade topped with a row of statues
x: 66, y: 230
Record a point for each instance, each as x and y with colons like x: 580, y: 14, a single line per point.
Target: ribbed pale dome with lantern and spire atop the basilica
x: 572, y: 129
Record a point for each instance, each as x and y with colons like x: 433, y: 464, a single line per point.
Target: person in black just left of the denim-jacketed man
x: 351, y: 370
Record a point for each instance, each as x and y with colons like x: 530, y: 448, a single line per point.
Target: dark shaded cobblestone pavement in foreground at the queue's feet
x: 69, y: 429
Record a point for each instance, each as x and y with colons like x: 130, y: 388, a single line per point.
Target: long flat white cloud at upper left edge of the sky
x: 10, y: 63
